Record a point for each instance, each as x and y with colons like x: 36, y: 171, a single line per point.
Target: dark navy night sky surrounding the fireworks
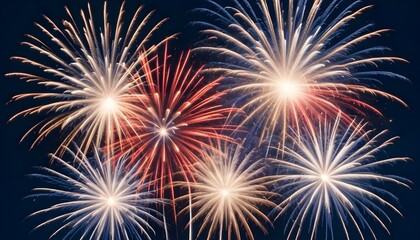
x: 17, y: 161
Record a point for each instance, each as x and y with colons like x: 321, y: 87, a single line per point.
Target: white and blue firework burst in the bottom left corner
x: 97, y: 200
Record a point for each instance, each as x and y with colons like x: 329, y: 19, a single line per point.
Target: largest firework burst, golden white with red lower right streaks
x: 292, y: 62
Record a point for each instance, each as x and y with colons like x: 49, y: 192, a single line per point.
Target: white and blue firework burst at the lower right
x: 332, y: 172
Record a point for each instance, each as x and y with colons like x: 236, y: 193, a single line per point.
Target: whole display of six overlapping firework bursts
x: 293, y: 79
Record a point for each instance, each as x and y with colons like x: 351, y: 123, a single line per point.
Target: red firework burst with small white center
x: 177, y: 117
